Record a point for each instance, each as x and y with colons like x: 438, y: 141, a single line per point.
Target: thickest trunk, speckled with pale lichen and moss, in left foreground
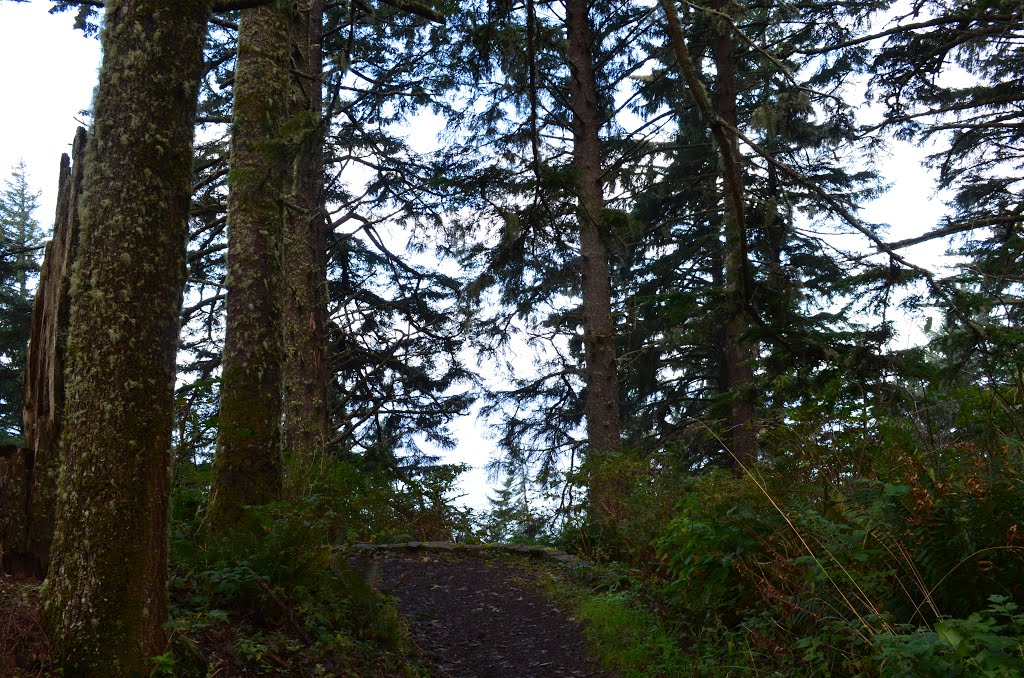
x: 105, y: 602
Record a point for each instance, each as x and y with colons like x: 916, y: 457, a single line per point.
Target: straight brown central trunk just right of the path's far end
x: 604, y: 428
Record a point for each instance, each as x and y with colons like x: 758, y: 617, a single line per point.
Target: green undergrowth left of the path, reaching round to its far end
x: 278, y: 596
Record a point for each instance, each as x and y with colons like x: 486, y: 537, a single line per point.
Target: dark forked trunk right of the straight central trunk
x: 721, y: 116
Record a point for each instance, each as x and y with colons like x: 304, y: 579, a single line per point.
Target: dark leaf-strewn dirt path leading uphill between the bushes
x: 473, y: 618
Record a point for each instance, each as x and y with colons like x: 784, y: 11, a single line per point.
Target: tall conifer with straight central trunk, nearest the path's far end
x: 540, y: 147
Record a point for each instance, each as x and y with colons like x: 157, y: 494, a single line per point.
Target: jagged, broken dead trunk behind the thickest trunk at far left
x: 29, y: 480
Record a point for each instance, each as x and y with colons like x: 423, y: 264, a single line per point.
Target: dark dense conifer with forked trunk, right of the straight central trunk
x: 784, y: 120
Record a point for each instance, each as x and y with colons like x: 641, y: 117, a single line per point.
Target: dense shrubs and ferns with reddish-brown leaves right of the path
x: 877, y: 575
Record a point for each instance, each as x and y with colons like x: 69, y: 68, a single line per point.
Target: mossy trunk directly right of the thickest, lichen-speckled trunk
x: 248, y: 467
